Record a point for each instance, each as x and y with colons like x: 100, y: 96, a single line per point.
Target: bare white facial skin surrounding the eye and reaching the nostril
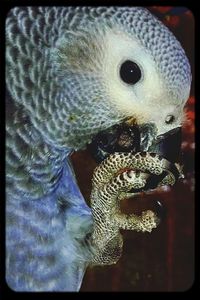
x: 147, y: 100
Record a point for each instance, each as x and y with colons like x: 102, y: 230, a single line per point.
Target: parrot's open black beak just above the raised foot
x: 142, y: 138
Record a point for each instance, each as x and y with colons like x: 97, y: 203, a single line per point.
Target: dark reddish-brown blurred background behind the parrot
x: 164, y: 259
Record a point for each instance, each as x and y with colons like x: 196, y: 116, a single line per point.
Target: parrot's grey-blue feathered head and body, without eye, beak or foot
x: 59, y: 95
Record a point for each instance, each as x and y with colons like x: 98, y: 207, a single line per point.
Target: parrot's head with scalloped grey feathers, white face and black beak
x: 129, y: 78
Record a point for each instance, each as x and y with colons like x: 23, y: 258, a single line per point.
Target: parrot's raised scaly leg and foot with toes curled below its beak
x: 108, y: 187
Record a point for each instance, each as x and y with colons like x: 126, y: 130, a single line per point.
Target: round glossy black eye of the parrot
x: 130, y: 72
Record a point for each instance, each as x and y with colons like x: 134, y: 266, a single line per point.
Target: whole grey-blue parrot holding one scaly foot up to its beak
x: 110, y: 79
